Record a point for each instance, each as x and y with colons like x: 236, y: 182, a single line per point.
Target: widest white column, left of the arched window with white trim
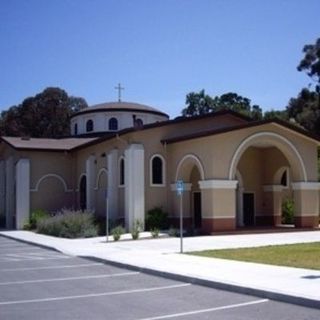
x: 134, y: 184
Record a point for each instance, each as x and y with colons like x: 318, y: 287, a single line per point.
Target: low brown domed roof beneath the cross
x: 120, y: 106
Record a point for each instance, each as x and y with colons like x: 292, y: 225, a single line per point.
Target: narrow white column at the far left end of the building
x: 9, y: 192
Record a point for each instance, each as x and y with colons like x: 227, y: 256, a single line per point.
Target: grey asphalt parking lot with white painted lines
x: 45, y: 284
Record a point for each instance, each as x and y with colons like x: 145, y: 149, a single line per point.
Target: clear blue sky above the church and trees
x: 159, y: 50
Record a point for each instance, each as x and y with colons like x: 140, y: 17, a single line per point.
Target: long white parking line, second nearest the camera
x: 94, y: 295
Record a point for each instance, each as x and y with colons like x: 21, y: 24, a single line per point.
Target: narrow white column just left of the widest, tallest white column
x: 113, y: 182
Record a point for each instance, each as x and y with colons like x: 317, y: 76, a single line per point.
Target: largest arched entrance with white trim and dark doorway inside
x: 264, y: 165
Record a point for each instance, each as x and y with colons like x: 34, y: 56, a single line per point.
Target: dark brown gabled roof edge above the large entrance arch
x: 211, y: 132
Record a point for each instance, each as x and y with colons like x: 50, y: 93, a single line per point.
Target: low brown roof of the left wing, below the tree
x: 42, y: 144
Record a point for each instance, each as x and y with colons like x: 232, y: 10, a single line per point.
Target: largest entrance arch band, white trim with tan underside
x: 282, y: 143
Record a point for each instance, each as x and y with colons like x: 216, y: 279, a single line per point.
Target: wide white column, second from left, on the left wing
x: 22, y: 192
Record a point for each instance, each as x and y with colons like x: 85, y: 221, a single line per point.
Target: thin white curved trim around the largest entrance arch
x: 246, y: 143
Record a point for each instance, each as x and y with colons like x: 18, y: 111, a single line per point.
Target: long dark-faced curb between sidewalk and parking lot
x: 281, y: 297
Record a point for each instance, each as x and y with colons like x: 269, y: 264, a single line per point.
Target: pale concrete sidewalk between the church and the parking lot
x: 160, y: 256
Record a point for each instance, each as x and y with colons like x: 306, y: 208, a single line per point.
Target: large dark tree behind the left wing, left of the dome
x: 45, y: 115
